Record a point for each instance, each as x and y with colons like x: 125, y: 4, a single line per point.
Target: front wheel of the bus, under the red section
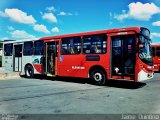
x: 98, y: 77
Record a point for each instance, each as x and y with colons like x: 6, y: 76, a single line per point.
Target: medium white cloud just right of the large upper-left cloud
x: 50, y: 17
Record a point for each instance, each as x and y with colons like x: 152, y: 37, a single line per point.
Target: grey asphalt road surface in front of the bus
x: 72, y: 96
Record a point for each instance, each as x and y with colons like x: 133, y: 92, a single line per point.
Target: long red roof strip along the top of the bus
x: 136, y: 28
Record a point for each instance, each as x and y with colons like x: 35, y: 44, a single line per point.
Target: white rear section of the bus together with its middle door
x: 30, y: 57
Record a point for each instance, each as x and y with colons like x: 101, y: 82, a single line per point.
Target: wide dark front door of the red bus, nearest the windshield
x: 123, y: 57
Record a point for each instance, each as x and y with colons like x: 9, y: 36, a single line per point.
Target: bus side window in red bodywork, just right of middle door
x: 71, y: 45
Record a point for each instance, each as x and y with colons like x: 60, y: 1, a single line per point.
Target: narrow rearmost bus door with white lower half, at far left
x: 17, y: 58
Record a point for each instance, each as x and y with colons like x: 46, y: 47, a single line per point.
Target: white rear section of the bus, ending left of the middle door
x: 20, y: 55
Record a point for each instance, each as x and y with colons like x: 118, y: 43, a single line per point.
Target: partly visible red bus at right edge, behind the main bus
x: 156, y: 56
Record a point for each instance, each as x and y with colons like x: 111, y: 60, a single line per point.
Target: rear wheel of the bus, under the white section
x: 29, y: 72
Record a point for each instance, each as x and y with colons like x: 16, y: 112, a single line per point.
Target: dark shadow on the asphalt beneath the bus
x: 110, y: 83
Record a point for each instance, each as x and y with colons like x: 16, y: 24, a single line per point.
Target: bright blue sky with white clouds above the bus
x: 32, y: 19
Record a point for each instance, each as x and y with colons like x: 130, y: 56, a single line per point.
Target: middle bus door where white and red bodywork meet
x: 51, y: 54
